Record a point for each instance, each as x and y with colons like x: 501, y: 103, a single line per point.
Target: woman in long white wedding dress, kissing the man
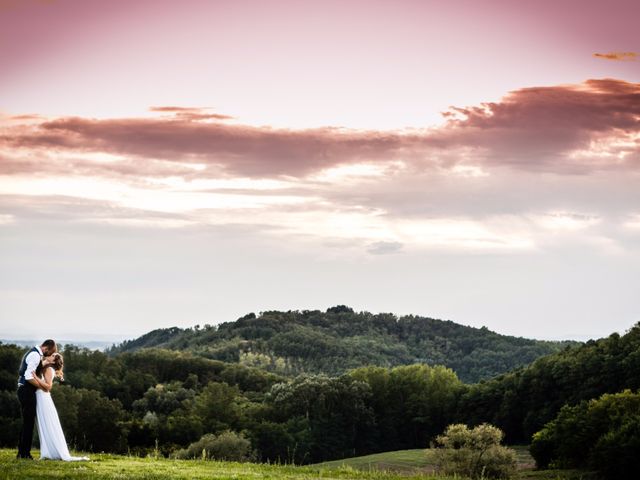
x: 52, y: 442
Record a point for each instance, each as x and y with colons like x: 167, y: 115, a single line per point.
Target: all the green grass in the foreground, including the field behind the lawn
x: 400, y: 465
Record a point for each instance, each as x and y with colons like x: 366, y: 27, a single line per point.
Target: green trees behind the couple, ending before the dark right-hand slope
x: 150, y: 399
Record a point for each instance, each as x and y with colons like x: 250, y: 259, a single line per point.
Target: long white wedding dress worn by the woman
x: 52, y: 442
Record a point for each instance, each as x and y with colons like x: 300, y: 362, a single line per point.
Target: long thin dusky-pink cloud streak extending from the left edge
x: 237, y: 149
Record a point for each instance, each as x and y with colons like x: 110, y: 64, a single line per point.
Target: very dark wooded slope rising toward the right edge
x: 523, y: 401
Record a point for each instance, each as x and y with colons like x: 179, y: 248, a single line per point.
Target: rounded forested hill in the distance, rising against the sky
x: 339, y: 339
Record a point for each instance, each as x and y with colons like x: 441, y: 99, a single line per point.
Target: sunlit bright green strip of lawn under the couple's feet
x: 102, y: 467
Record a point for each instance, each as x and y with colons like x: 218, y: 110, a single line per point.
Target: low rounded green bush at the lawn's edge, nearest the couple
x: 228, y: 445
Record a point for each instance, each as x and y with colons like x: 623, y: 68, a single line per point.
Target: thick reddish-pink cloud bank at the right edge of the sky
x: 540, y: 128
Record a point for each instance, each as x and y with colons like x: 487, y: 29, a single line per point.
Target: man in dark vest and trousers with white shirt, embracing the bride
x: 27, y: 387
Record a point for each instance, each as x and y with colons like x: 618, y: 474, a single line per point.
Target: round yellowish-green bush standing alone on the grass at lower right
x: 475, y: 453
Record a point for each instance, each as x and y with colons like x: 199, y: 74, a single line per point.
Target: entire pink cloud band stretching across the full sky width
x: 531, y: 128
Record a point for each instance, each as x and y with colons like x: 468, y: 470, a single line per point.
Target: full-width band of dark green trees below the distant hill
x: 167, y: 399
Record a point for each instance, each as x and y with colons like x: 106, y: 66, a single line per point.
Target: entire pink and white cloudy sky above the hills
x: 173, y: 163
